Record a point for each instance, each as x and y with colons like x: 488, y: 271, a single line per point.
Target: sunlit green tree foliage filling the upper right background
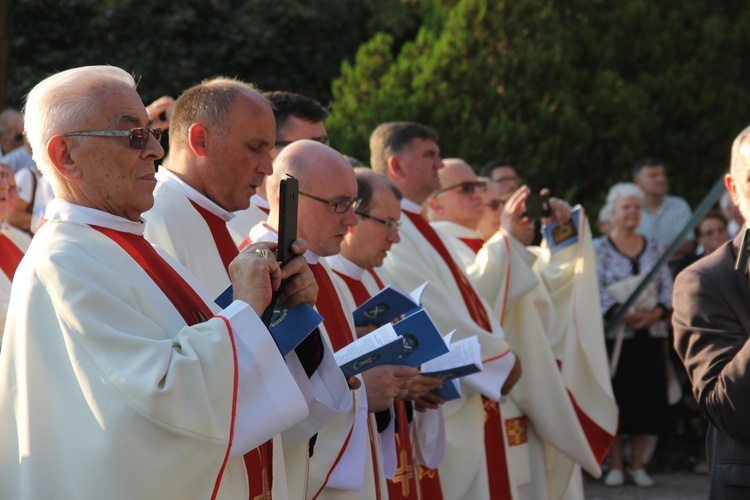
x: 573, y: 91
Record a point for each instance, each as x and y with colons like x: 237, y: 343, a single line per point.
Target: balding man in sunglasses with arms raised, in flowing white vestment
x: 500, y: 268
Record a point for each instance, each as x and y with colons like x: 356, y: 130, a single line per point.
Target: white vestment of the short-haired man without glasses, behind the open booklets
x: 463, y: 471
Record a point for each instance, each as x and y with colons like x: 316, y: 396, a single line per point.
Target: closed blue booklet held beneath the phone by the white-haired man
x: 288, y: 327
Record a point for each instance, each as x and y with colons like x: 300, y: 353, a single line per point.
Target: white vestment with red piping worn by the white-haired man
x: 105, y: 392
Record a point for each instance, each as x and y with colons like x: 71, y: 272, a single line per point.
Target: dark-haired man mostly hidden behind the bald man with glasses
x: 297, y: 117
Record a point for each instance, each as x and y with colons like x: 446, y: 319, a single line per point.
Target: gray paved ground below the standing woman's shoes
x: 669, y: 486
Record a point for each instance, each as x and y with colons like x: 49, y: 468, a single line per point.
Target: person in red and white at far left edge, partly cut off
x: 13, y: 242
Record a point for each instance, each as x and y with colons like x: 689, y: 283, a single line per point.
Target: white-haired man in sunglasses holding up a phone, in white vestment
x: 119, y: 376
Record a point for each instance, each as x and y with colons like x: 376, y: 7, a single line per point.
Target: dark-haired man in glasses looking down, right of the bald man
x: 364, y: 248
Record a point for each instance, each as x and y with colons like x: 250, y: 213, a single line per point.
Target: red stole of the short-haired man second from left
x: 258, y: 462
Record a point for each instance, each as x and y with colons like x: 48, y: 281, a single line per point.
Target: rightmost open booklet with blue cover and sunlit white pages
x: 464, y: 358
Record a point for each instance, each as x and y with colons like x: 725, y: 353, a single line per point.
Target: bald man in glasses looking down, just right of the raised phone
x: 347, y: 453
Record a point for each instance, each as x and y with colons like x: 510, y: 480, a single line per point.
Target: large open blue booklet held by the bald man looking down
x: 411, y: 342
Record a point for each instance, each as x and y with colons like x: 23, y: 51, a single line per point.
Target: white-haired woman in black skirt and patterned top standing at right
x: 639, y: 382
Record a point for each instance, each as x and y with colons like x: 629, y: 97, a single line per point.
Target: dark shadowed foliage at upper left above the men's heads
x: 277, y: 44
